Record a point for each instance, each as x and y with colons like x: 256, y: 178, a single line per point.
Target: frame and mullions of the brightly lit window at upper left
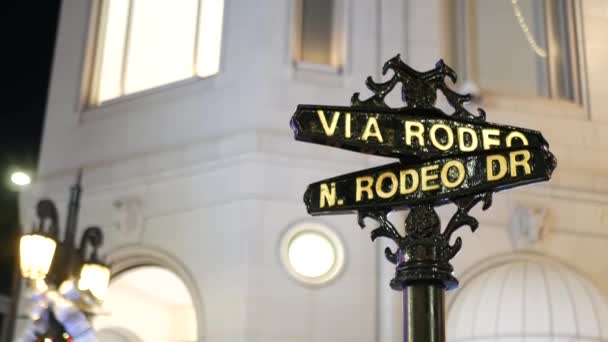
x: 91, y: 67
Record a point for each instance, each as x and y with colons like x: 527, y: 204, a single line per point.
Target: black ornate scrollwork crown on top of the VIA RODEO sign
x: 419, y: 89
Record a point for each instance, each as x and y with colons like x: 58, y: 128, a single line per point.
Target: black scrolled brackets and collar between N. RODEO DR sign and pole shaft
x: 424, y: 252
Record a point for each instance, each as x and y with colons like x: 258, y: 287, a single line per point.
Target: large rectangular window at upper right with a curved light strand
x: 518, y: 47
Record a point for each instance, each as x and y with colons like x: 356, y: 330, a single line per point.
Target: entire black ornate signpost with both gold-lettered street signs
x: 443, y: 158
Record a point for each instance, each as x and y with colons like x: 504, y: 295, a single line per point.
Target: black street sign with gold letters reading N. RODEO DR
x: 437, y: 181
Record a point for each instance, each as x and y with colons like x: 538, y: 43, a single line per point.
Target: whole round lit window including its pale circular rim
x: 312, y: 253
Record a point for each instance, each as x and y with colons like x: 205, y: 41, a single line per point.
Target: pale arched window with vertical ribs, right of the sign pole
x: 528, y: 298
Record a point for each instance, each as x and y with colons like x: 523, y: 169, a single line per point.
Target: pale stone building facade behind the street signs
x: 178, y: 115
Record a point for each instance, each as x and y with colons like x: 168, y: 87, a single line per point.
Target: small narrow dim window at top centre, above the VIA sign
x: 318, y: 33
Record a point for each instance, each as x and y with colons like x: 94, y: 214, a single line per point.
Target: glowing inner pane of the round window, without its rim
x: 311, y: 254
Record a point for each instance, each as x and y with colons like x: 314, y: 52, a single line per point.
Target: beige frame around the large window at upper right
x: 462, y: 41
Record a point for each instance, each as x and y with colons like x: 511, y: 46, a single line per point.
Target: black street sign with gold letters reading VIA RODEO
x: 406, y: 133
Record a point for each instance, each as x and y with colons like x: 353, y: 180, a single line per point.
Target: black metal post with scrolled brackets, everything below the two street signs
x: 423, y: 272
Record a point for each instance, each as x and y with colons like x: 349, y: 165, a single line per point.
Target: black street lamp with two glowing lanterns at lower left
x: 53, y: 264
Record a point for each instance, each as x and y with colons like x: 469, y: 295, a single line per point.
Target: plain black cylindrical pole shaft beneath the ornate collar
x: 424, y: 313
